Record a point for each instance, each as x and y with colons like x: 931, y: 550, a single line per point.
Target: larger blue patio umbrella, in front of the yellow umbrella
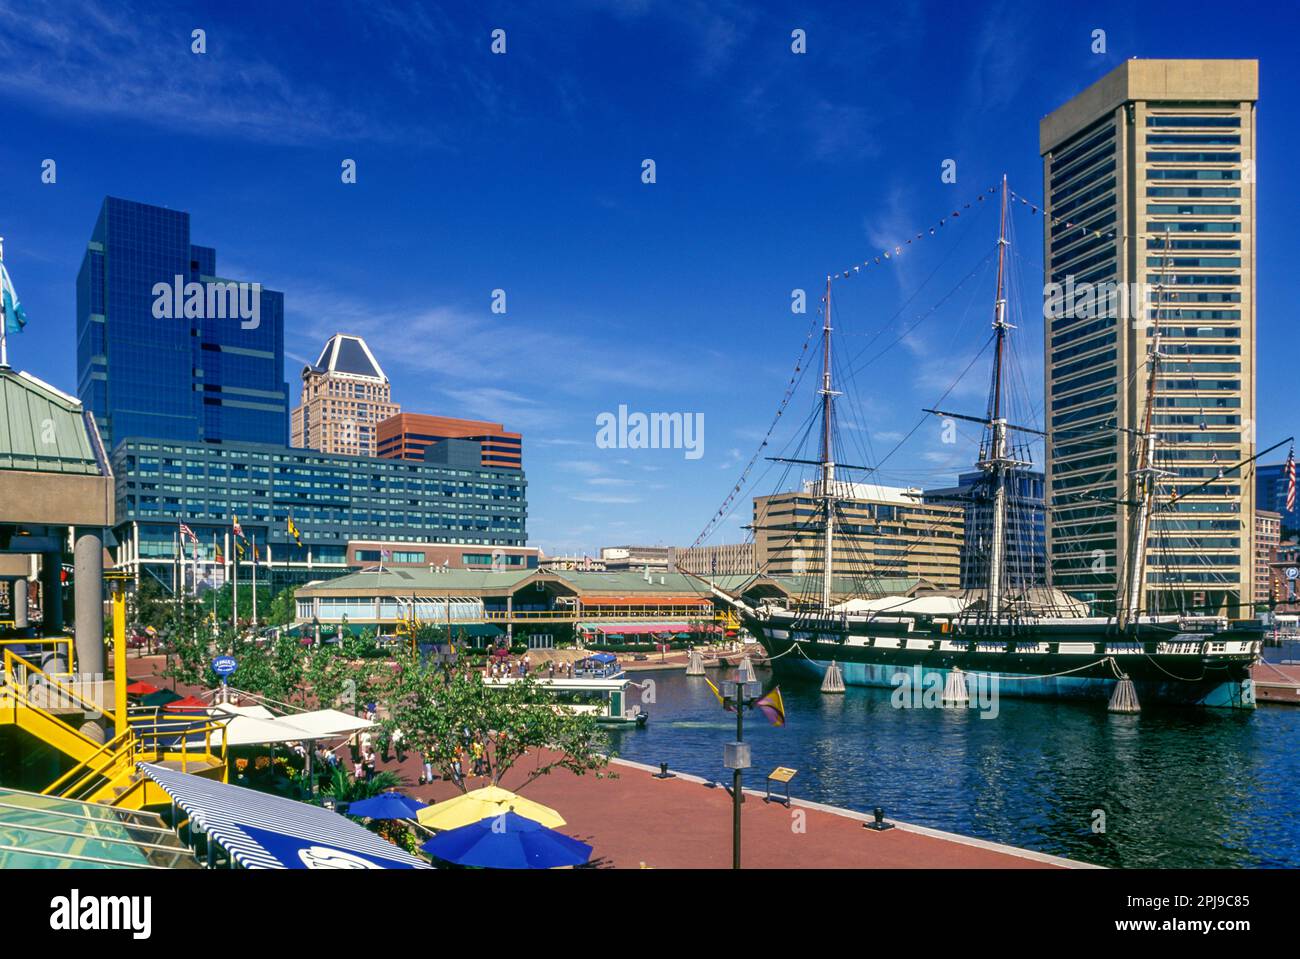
x: 508, y: 841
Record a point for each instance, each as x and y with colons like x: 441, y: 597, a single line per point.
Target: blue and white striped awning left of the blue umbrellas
x: 271, y: 832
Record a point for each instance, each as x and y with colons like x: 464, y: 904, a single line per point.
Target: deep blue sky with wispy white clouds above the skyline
x: 523, y: 173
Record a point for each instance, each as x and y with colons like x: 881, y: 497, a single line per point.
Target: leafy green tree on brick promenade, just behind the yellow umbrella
x: 436, y: 708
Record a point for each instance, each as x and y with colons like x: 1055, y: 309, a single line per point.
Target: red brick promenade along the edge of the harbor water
x: 636, y: 819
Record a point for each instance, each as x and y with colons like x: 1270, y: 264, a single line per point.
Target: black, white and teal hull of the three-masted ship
x: 1165, y: 666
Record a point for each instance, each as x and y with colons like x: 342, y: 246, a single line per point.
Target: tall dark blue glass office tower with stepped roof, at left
x: 210, y: 377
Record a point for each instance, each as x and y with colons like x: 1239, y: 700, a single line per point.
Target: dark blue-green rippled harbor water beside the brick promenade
x: 1167, y: 788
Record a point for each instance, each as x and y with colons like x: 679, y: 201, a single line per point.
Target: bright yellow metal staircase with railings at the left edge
x: 105, y: 773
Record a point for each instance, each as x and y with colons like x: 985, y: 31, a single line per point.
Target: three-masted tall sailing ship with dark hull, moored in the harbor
x: 1019, y: 641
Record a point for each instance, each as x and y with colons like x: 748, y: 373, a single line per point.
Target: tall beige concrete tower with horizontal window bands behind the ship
x: 1150, y: 185
